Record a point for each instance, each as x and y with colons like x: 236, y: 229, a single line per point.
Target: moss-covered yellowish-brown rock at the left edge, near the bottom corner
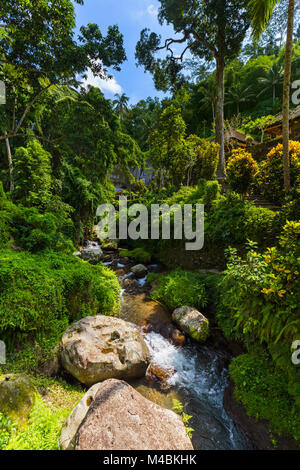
x: 16, y: 397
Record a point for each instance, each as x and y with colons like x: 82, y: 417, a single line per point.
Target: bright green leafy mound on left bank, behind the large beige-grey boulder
x: 40, y: 294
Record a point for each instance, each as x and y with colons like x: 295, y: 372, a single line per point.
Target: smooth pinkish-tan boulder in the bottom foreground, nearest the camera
x: 120, y: 418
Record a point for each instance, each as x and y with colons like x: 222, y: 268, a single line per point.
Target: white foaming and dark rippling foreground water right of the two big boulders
x: 200, y: 379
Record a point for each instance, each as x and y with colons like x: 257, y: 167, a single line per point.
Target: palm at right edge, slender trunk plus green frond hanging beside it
x: 260, y: 12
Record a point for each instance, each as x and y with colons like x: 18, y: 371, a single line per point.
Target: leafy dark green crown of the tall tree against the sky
x: 204, y: 25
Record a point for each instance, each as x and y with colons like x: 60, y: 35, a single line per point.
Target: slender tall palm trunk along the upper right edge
x: 286, y: 96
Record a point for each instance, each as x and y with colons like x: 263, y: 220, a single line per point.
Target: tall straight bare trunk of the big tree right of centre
x: 221, y: 173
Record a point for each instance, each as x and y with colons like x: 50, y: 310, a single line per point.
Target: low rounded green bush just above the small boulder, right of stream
x: 179, y: 288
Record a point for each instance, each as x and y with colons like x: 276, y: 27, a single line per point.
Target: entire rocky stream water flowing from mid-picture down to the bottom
x: 200, y: 373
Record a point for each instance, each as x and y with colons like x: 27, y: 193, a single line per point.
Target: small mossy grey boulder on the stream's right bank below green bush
x: 192, y: 322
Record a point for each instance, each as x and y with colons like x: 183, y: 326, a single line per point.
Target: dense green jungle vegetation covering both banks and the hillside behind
x: 60, y: 142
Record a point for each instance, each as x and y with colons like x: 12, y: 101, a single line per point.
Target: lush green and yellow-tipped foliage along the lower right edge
x: 260, y: 298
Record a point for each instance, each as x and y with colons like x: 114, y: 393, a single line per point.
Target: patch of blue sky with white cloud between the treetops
x: 131, y: 16
